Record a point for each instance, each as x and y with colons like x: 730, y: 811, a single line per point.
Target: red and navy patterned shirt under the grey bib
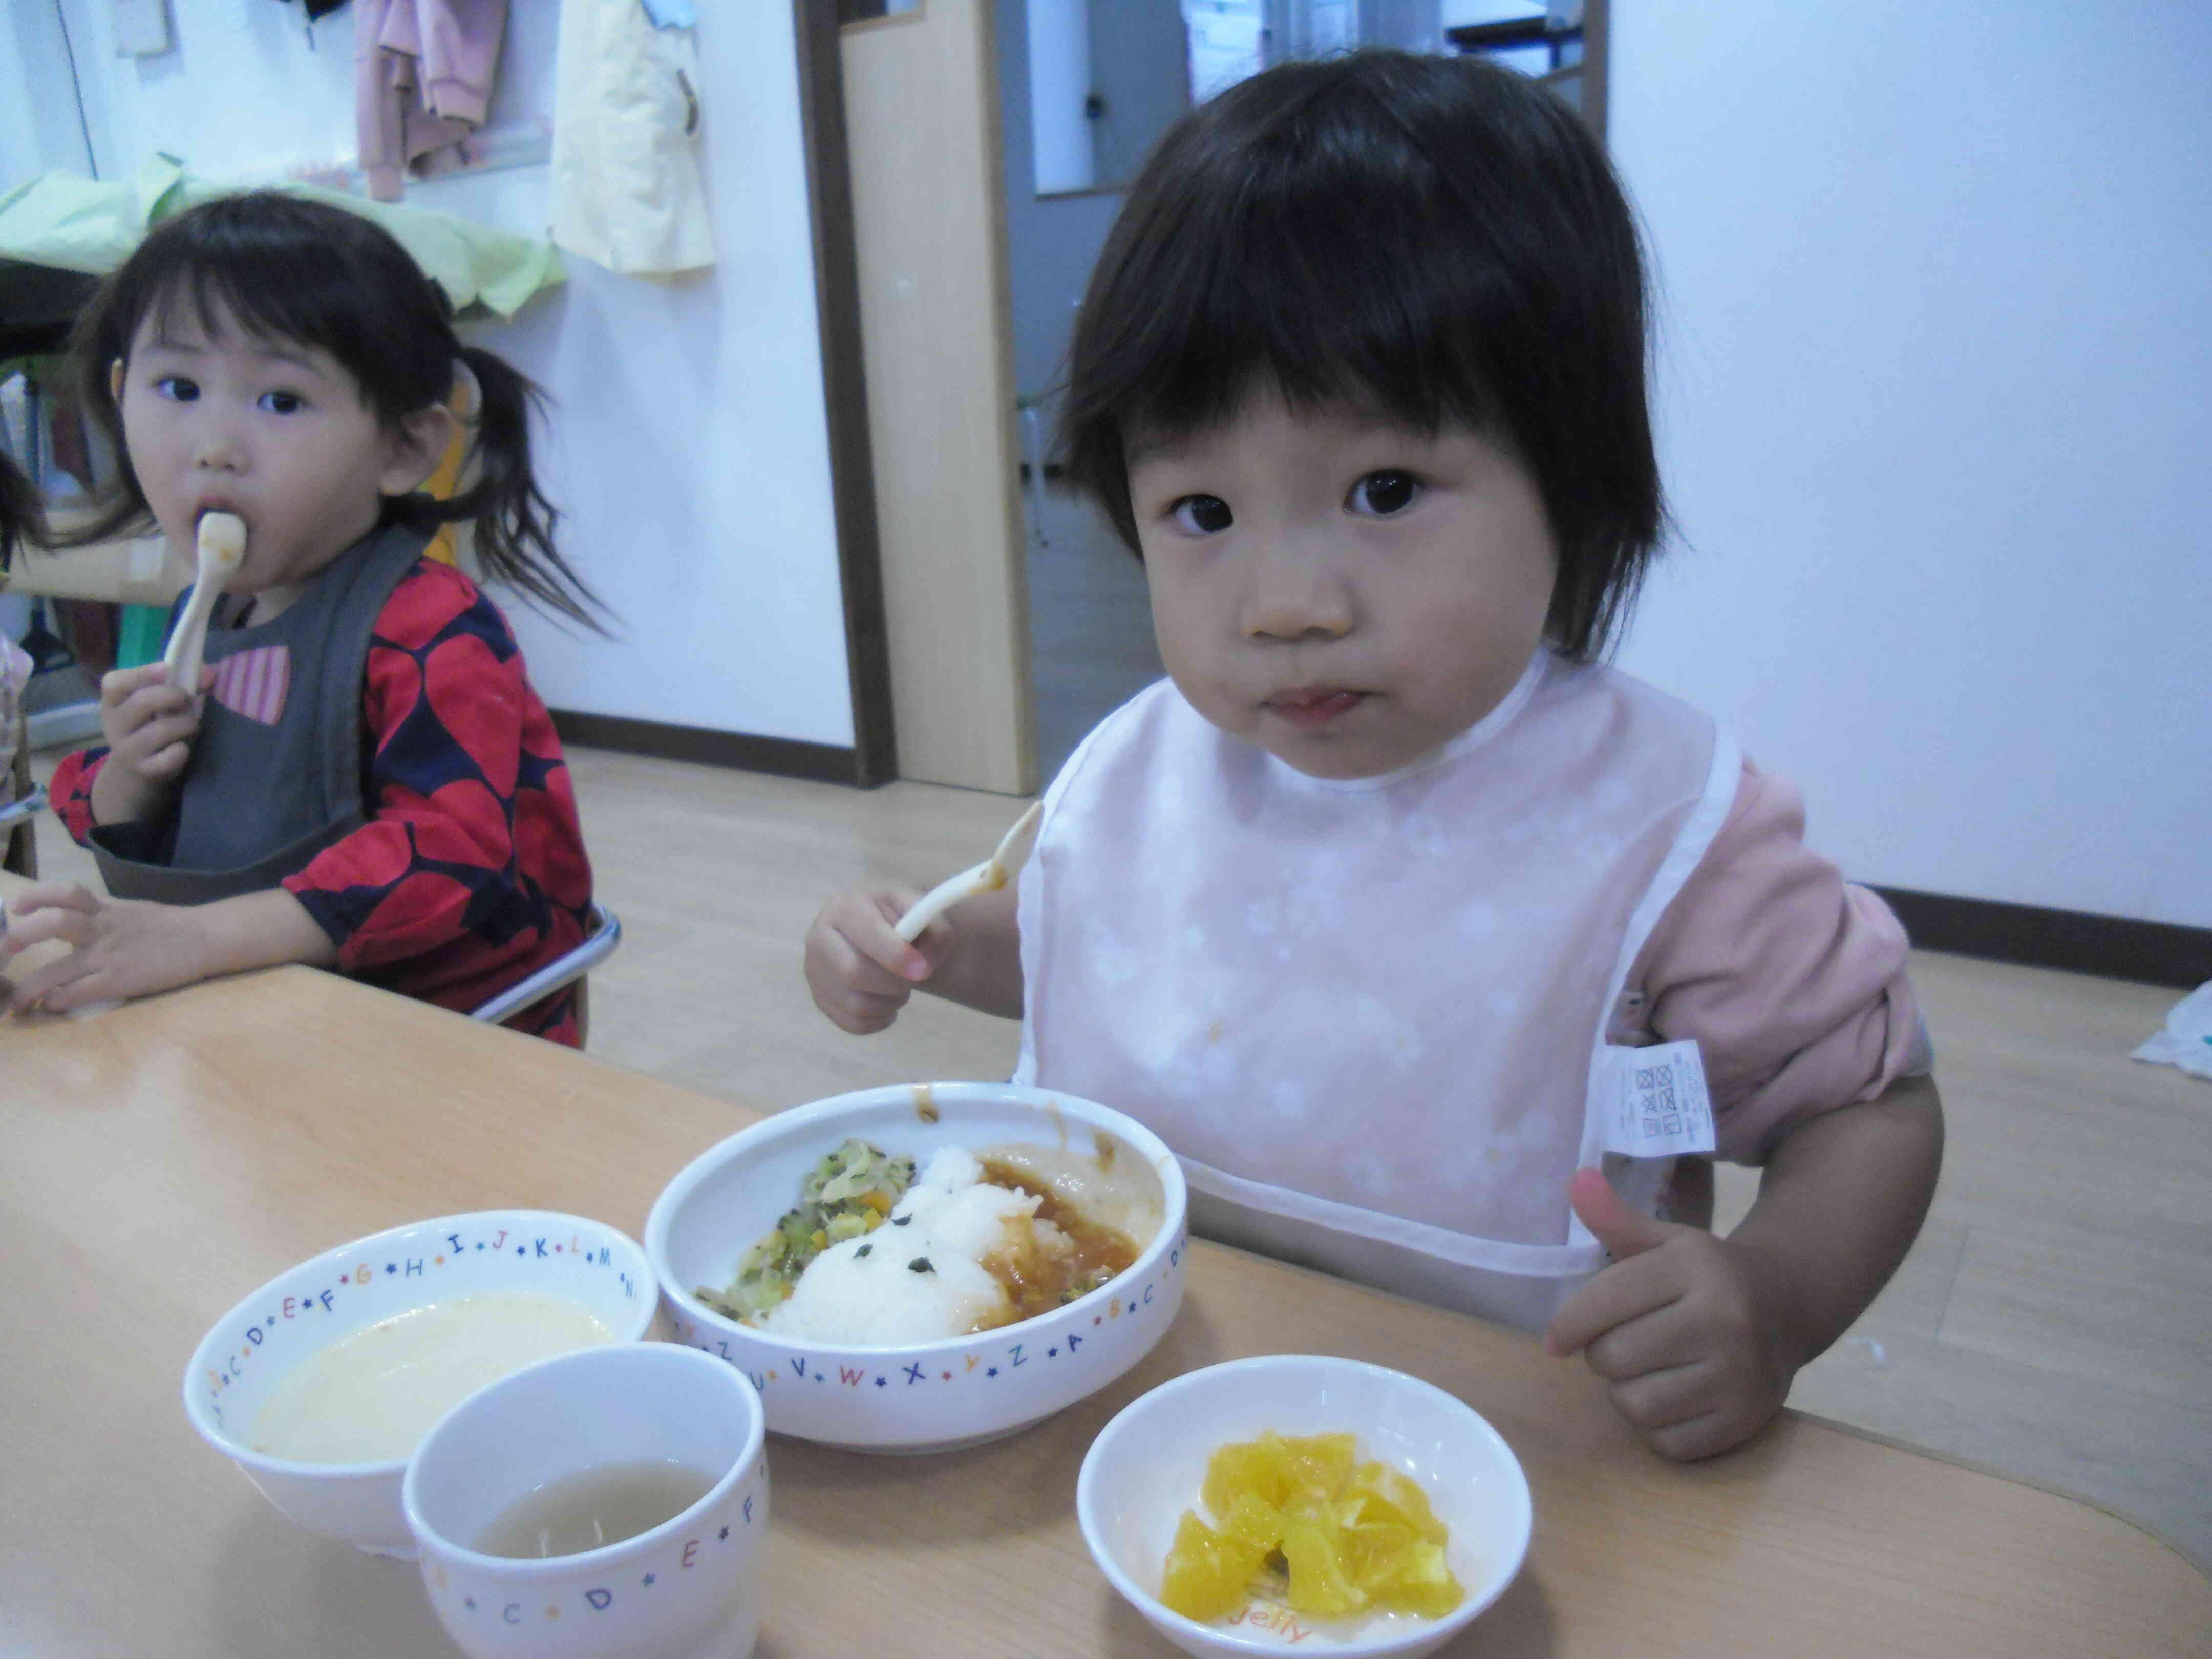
x: 470, y: 873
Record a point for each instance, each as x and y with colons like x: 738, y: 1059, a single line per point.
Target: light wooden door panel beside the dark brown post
x: 941, y: 399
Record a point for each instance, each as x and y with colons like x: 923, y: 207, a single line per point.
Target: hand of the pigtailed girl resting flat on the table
x: 123, y: 948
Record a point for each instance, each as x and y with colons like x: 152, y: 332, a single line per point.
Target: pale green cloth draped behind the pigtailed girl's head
x: 92, y: 227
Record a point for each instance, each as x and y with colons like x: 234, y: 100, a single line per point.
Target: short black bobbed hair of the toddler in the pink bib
x: 1434, y: 238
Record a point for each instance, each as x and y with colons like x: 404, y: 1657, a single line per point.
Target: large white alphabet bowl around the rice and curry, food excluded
x: 921, y: 1397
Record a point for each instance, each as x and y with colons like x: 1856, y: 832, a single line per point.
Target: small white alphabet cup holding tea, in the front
x: 609, y: 1503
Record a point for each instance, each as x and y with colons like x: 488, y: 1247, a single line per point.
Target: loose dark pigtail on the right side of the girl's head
x: 514, y: 521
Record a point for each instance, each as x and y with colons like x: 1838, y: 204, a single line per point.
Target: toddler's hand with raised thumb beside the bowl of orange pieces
x: 1676, y: 1326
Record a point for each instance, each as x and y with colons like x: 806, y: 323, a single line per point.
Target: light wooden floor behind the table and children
x: 2054, y: 1319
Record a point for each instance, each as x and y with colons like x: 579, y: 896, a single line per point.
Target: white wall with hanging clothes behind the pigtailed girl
x: 689, y: 437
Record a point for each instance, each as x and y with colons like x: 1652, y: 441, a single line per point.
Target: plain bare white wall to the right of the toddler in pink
x: 1937, y: 337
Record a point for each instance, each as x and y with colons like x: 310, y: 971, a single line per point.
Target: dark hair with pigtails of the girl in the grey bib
x: 293, y: 269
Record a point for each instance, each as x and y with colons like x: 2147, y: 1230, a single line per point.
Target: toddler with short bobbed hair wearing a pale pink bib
x: 1443, y: 954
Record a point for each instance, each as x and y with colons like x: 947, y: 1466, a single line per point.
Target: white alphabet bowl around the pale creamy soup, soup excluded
x: 366, y: 1282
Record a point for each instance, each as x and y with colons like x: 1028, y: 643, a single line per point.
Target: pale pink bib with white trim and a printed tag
x: 1373, y: 1019
